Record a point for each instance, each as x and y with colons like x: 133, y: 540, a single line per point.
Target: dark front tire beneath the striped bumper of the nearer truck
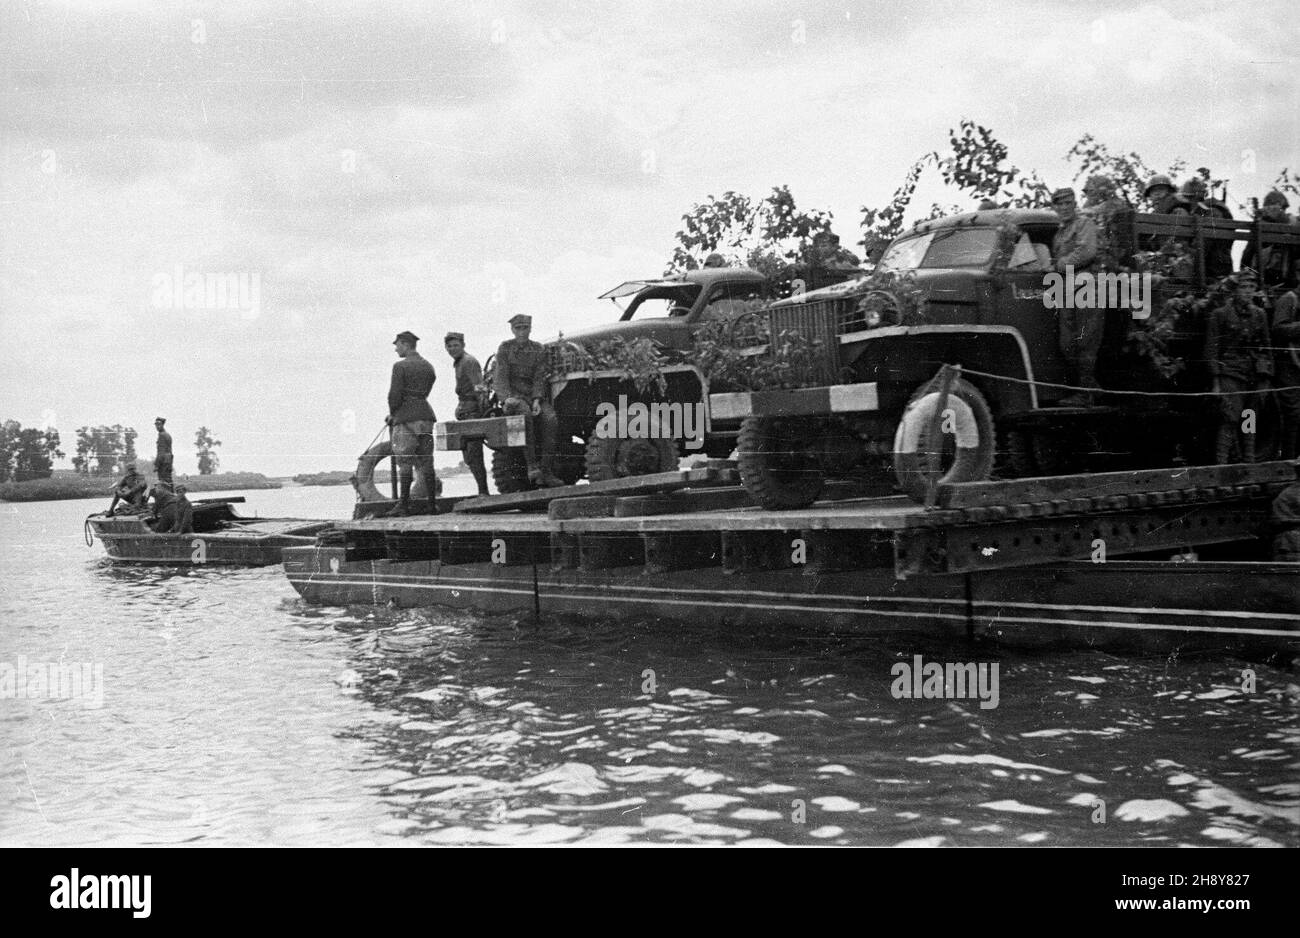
x: 777, y: 464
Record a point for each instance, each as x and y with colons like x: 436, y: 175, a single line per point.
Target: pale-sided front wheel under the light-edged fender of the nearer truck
x: 973, y: 435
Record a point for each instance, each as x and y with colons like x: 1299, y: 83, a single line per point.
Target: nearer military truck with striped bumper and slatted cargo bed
x: 944, y: 366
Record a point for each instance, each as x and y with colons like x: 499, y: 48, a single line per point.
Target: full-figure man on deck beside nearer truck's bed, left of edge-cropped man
x: 1238, y: 354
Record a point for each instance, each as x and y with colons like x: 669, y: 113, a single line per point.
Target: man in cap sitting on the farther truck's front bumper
x: 522, y: 384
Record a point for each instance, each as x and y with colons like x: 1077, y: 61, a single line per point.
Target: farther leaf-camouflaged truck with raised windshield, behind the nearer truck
x: 666, y: 312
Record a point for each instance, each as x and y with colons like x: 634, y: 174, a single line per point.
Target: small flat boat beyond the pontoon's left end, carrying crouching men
x: 220, y: 537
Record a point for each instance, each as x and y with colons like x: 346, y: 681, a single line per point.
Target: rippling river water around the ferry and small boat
x: 229, y: 713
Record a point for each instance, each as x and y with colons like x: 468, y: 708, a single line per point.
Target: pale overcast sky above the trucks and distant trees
x: 370, y: 168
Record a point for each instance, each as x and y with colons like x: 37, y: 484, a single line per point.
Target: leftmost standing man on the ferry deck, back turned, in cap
x: 411, y: 420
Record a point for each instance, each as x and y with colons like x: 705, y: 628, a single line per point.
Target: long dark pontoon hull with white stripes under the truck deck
x: 1149, y: 605
